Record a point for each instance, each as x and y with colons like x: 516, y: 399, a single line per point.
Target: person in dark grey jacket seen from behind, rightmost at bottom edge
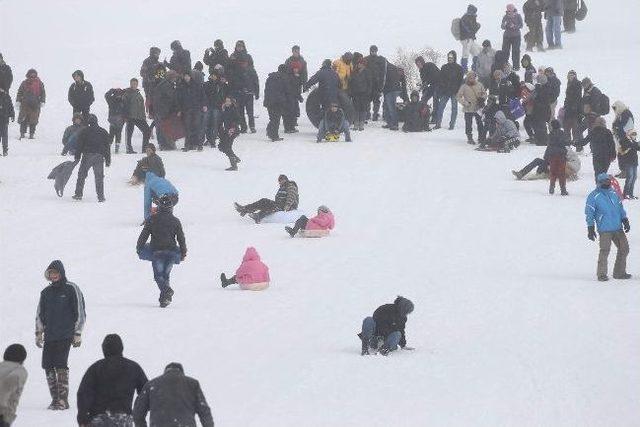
x: 172, y: 399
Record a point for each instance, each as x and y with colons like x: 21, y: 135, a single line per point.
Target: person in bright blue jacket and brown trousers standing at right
x: 604, y: 210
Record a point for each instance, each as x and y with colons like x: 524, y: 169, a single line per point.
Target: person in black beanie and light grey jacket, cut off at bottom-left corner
x: 13, y: 376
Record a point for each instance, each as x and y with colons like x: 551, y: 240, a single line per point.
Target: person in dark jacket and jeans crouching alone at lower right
x: 384, y: 331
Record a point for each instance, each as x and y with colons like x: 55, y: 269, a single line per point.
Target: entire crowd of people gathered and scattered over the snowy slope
x: 182, y: 102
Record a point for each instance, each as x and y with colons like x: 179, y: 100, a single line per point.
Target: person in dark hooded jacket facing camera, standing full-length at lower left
x: 60, y: 319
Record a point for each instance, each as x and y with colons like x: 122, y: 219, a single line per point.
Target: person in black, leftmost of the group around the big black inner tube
x: 276, y: 100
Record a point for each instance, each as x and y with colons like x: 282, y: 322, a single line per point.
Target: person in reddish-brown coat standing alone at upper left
x: 31, y: 96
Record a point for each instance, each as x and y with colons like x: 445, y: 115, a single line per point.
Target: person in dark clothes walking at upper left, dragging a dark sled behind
x: 93, y: 147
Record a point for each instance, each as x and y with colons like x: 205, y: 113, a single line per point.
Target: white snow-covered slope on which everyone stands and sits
x: 510, y: 327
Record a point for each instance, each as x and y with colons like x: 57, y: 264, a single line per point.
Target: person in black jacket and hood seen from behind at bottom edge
x: 105, y: 394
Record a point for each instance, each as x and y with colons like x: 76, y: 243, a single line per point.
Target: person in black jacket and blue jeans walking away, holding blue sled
x: 164, y: 229
